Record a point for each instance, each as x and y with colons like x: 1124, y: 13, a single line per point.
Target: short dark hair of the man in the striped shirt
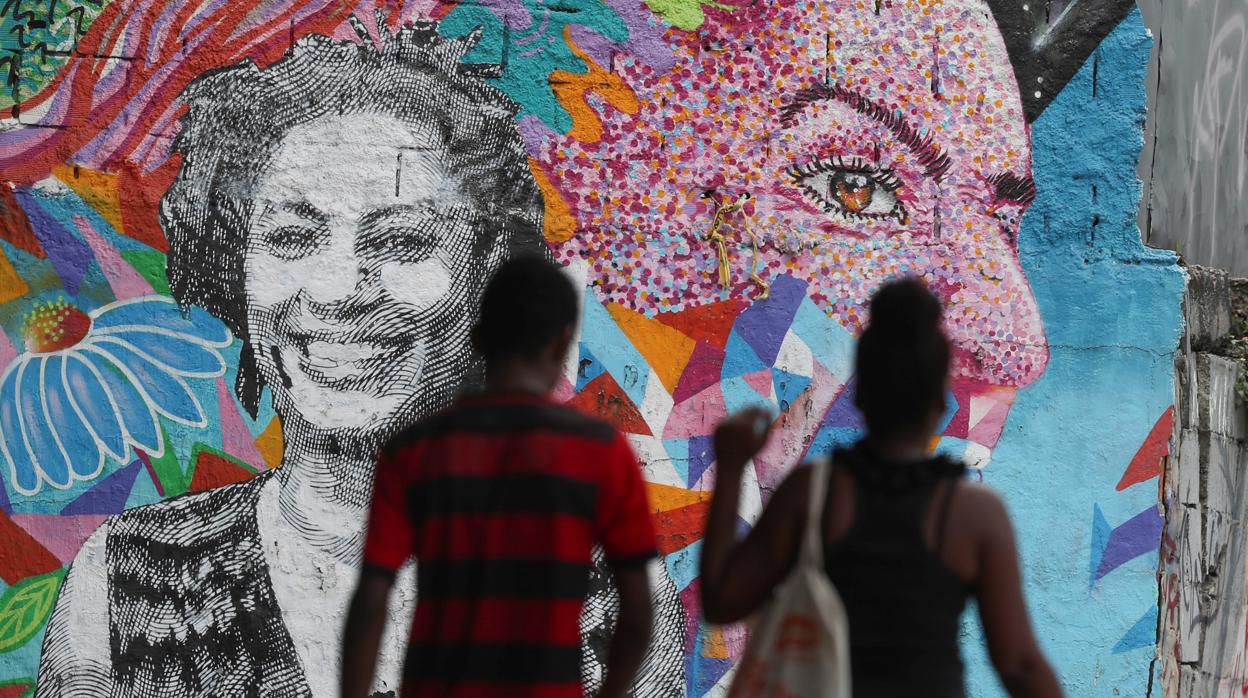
x: 526, y: 307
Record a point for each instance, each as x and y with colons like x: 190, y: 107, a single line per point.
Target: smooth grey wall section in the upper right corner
x: 1195, y: 165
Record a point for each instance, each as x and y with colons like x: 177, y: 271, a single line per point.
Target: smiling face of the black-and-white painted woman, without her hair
x: 356, y: 275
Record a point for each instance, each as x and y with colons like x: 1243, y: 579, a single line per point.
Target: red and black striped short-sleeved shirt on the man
x: 501, y: 500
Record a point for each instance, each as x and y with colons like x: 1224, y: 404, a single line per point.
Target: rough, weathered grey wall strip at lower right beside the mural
x: 1204, y: 631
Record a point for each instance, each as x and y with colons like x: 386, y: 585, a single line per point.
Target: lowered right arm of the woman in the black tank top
x: 1012, y: 645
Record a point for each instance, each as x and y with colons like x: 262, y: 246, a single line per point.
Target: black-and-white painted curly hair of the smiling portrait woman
x: 239, y: 116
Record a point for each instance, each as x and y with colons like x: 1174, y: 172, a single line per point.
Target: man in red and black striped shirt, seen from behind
x: 501, y: 500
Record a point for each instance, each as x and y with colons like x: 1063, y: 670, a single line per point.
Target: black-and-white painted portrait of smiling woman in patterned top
x: 340, y: 210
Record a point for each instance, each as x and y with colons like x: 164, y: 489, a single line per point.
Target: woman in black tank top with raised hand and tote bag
x: 903, y: 538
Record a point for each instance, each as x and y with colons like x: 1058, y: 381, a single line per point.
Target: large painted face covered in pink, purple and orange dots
x: 875, y: 139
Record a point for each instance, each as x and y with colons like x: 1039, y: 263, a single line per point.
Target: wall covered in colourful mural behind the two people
x: 324, y: 190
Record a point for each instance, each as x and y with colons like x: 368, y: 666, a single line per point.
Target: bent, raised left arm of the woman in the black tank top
x: 738, y: 576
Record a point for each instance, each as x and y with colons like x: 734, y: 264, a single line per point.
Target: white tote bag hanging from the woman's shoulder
x: 799, y: 645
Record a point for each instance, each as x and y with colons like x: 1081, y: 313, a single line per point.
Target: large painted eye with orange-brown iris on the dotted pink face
x: 851, y: 187
